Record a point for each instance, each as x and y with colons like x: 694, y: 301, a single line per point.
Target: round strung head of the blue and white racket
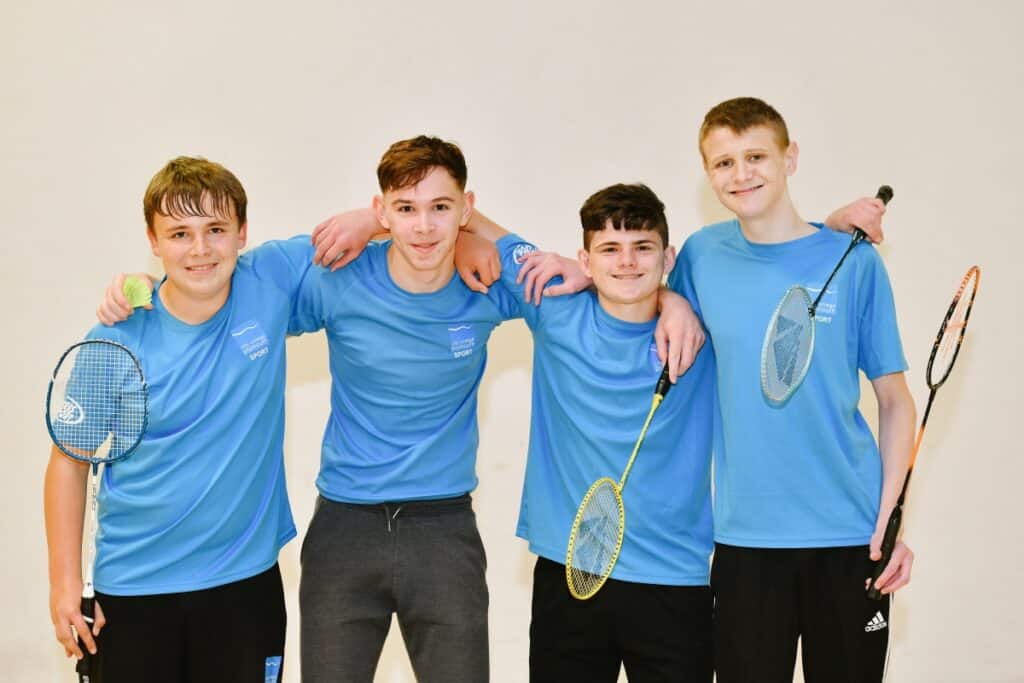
x: 98, y: 408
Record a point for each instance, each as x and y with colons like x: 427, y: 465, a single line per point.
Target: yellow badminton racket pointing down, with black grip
x: 598, y: 533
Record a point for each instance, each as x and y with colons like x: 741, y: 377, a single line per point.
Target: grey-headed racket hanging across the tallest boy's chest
x: 789, y: 345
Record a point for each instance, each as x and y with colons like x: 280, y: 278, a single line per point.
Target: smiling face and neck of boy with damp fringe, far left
x: 199, y: 254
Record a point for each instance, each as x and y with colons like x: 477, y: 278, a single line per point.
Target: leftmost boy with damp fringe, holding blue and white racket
x: 191, y: 525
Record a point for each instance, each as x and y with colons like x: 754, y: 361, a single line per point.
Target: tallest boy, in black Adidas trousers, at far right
x: 802, y: 492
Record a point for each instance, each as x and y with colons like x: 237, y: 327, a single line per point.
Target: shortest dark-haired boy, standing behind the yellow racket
x: 595, y: 367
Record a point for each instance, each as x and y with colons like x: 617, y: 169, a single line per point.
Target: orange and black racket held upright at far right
x: 941, y: 364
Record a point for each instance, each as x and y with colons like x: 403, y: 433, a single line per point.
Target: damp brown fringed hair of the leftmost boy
x: 180, y: 189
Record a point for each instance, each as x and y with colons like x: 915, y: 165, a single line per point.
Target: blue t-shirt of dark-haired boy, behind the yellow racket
x: 594, y: 378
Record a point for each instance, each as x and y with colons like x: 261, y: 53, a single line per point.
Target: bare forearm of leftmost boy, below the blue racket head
x: 64, y: 506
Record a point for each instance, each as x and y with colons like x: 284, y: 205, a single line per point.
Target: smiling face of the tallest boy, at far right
x: 749, y: 170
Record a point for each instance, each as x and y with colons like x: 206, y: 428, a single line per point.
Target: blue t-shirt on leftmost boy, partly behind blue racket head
x: 202, y: 502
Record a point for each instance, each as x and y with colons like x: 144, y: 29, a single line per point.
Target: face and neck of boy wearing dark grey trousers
x: 424, y: 222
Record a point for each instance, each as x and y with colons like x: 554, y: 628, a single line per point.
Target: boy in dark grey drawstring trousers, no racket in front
x: 395, y: 532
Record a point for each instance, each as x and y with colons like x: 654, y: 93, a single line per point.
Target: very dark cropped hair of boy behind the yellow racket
x: 627, y: 207
